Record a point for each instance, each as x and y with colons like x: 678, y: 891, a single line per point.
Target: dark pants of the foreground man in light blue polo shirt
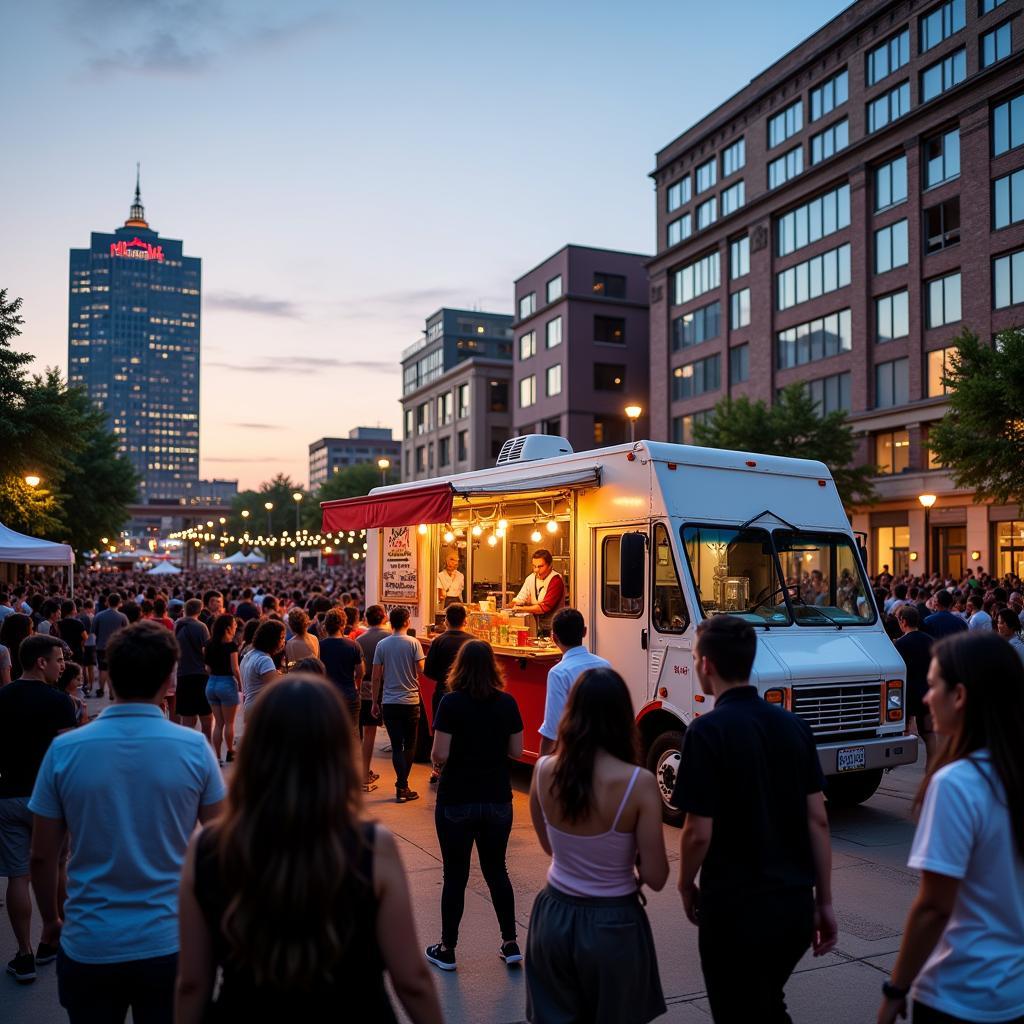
x: 102, y: 994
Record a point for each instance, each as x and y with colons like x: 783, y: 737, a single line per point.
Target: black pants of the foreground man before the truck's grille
x: 748, y: 953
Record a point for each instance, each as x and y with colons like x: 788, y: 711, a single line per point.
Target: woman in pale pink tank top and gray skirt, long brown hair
x: 599, y: 816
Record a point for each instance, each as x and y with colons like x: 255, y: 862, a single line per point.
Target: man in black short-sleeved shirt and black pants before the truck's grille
x: 756, y: 829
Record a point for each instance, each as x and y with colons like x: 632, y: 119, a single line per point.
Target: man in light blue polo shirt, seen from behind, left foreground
x: 119, y: 940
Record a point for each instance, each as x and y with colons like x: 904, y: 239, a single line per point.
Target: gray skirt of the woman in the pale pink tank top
x: 591, y: 960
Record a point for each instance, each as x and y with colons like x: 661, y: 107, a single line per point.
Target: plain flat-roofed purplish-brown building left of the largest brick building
x: 581, y: 347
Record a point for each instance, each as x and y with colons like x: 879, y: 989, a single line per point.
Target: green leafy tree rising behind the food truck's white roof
x: 792, y: 428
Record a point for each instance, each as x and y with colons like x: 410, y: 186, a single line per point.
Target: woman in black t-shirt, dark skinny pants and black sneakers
x: 478, y: 729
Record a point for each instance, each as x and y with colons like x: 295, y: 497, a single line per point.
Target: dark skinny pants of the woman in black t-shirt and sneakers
x: 459, y: 827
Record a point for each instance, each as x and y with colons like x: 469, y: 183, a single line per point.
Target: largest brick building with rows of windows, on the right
x: 838, y: 223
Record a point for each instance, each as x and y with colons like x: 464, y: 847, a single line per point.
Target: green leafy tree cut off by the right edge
x: 982, y: 438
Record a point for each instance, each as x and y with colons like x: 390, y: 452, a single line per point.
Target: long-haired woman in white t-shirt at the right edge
x: 962, y: 959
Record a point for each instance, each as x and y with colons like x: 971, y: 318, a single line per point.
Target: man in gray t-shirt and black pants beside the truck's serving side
x: 398, y: 664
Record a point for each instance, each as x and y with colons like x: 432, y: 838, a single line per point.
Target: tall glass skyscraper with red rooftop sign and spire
x: 134, y: 344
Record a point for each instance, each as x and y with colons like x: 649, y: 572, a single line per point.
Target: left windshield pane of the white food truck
x: 736, y: 574
